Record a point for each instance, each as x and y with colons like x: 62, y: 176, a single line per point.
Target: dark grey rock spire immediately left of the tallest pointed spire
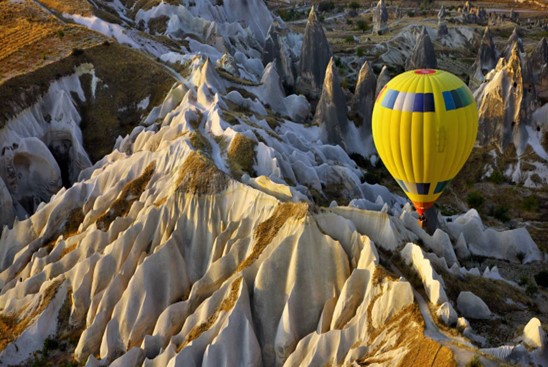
x: 276, y: 50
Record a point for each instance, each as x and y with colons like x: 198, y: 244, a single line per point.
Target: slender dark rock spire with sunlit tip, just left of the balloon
x: 364, y: 96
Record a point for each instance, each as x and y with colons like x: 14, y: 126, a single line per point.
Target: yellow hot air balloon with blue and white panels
x: 425, y: 124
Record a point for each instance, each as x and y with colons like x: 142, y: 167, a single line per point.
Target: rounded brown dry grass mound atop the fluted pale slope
x: 198, y: 175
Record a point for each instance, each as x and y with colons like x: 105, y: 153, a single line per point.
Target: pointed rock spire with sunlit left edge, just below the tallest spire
x: 331, y: 110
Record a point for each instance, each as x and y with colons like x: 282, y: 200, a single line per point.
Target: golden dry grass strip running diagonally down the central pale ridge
x: 267, y: 230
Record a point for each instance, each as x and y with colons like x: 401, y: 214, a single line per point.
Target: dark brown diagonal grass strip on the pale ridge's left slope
x: 130, y: 193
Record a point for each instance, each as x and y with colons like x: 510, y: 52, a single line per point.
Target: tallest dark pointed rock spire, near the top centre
x: 315, y: 55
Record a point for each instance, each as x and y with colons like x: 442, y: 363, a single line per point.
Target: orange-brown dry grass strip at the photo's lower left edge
x: 11, y: 326
